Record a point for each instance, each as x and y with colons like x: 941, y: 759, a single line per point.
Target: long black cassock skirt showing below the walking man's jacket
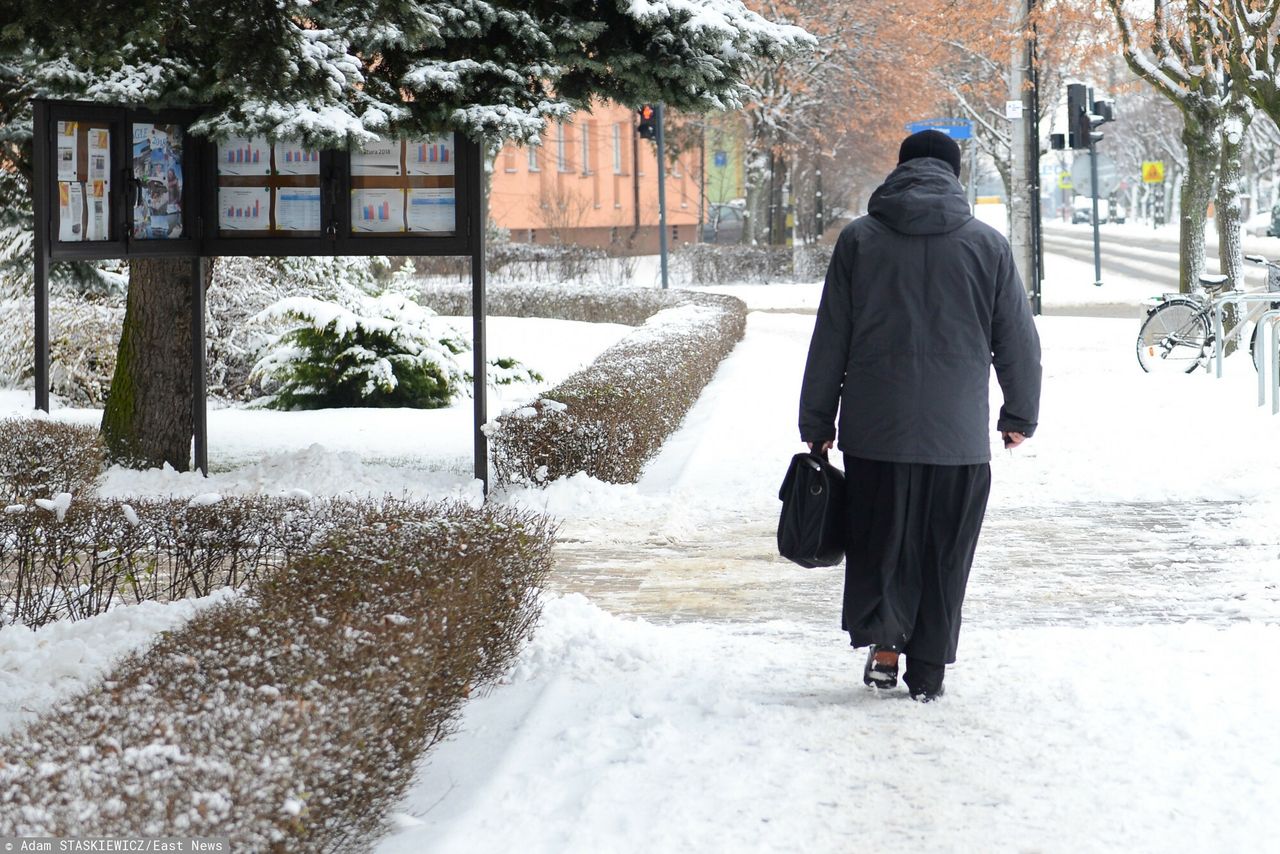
x: 912, y: 531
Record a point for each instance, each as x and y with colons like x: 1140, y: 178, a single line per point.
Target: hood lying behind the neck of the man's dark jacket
x: 922, y: 197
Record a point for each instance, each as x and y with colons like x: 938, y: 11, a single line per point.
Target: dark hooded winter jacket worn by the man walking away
x: 921, y: 302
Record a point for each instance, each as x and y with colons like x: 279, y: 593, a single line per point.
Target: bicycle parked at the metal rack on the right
x: 1178, y: 334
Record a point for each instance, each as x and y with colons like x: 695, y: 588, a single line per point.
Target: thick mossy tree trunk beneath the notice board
x: 149, y: 410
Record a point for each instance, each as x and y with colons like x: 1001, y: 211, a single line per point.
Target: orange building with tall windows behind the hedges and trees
x: 595, y: 182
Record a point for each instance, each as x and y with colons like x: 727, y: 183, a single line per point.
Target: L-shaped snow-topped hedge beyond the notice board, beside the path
x: 611, y: 418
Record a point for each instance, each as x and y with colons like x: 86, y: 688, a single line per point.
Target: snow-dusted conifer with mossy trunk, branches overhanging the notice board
x: 335, y: 72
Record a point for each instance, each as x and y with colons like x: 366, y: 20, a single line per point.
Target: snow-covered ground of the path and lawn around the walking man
x: 691, y: 692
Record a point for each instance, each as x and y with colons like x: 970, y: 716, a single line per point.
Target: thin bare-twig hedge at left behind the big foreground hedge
x: 81, y: 558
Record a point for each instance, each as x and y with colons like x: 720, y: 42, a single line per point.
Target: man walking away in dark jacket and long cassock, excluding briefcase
x: 921, y: 302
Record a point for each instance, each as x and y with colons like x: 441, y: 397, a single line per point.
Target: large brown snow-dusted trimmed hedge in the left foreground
x: 290, y: 719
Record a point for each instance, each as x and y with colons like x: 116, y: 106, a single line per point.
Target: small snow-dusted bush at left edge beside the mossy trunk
x: 40, y: 459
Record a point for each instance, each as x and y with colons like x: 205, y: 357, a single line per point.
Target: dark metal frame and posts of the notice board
x: 202, y: 239
